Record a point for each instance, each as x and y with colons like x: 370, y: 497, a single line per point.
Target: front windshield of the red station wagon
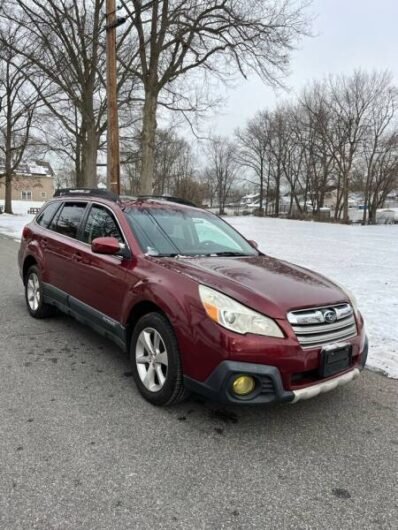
x: 168, y: 232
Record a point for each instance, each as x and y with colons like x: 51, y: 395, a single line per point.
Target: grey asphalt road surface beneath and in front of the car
x: 79, y: 448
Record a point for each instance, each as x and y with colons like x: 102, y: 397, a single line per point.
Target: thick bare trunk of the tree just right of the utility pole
x: 148, y: 143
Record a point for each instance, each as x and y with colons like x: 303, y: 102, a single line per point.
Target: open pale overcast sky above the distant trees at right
x: 349, y: 34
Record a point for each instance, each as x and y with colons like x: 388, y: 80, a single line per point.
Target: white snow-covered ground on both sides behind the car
x: 362, y: 258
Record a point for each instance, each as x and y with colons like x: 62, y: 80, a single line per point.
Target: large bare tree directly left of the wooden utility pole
x: 64, y: 39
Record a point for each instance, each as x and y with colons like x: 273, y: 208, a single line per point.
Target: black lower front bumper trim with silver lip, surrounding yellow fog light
x: 269, y: 385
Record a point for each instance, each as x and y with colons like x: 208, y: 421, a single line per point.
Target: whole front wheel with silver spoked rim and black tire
x: 155, y: 361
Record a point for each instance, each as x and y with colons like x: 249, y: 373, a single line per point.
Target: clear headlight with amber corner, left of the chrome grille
x: 235, y: 316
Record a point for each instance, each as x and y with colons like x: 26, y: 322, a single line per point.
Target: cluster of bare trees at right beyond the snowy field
x: 340, y: 137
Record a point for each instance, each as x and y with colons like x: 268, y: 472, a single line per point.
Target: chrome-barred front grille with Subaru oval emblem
x: 323, y: 325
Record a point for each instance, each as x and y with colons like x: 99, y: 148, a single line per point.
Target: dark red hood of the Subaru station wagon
x: 266, y: 284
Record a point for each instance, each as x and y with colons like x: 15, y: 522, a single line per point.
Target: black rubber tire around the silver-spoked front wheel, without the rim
x: 172, y: 391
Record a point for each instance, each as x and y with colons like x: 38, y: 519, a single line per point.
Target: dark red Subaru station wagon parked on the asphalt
x: 197, y: 306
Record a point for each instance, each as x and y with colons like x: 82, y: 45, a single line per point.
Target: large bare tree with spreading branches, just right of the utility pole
x: 215, y: 36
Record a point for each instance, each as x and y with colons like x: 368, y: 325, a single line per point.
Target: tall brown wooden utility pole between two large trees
x: 113, y: 162
